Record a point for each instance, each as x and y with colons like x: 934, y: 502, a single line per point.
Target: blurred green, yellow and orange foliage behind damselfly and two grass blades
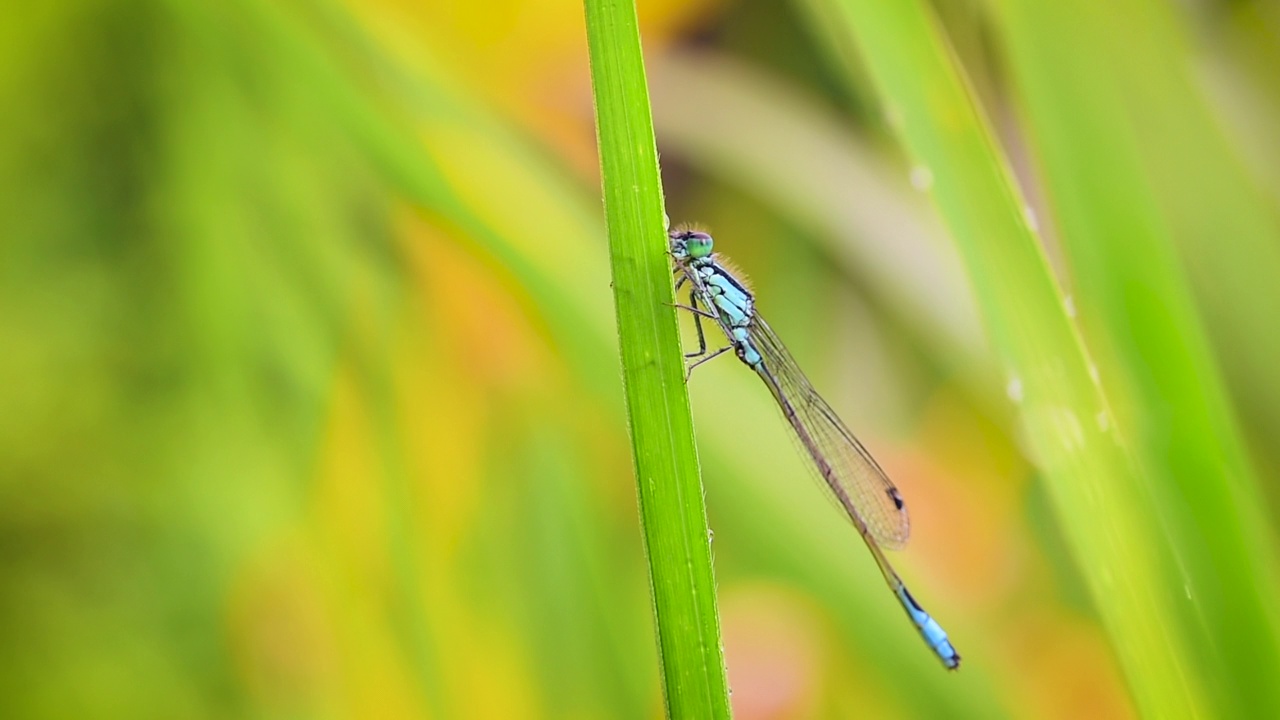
x: 310, y: 407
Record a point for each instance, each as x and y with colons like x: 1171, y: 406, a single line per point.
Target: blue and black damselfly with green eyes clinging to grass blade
x: 847, y: 470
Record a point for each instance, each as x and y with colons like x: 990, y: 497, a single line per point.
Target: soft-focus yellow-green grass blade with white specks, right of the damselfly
x: 1096, y: 490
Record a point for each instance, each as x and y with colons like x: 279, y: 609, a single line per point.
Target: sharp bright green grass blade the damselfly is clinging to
x: 671, y: 495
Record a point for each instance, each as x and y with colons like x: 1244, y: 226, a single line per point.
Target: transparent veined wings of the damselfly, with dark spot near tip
x: 870, y: 496
